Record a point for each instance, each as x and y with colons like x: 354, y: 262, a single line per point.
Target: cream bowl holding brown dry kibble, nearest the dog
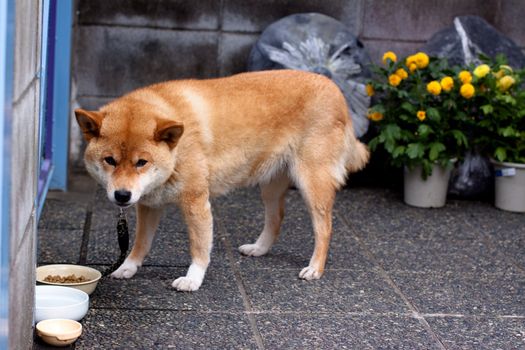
x: 91, y: 276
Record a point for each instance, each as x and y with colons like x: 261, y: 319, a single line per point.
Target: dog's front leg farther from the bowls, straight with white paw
x: 197, y: 213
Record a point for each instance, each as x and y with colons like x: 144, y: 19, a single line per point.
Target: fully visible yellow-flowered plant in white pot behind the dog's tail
x: 419, y: 122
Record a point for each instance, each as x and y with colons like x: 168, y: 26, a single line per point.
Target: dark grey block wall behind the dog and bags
x: 124, y: 44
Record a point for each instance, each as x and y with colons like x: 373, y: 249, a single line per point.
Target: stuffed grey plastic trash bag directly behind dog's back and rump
x: 318, y: 43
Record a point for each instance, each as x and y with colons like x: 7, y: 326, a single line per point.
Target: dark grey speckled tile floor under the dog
x: 398, y: 277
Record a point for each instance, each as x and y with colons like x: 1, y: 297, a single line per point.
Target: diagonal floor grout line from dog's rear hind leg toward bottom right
x: 383, y: 273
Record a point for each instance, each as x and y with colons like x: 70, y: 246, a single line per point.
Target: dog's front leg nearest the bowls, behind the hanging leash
x: 147, y: 222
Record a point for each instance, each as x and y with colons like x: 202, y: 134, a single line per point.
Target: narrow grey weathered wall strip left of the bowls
x: 24, y: 150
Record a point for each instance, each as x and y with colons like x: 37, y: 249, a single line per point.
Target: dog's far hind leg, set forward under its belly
x: 273, y: 195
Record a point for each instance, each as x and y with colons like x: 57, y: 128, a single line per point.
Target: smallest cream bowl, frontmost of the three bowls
x: 59, y: 332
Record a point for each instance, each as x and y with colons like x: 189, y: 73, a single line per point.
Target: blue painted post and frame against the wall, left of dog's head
x: 55, y: 96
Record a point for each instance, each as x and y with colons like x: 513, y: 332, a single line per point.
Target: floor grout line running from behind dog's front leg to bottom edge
x: 240, y: 285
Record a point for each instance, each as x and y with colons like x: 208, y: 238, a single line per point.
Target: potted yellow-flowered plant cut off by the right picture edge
x: 499, y: 128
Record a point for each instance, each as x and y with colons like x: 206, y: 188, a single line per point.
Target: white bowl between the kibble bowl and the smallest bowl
x: 60, y: 302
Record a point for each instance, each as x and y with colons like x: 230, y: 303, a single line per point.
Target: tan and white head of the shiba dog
x: 129, y: 151
